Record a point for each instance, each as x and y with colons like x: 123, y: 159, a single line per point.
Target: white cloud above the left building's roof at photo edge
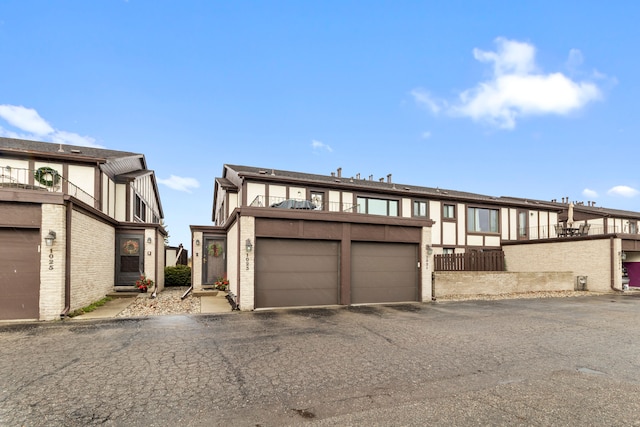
x: 35, y: 127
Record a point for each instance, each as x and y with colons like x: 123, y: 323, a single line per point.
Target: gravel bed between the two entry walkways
x: 166, y: 302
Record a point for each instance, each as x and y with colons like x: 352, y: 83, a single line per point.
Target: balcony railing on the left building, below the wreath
x: 19, y: 178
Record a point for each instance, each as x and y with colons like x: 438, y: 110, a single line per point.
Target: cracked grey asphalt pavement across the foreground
x: 560, y: 361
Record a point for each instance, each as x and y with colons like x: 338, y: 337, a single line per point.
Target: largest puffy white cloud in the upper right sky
x: 516, y: 89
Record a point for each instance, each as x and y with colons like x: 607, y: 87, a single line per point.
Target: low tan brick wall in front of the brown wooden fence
x: 449, y: 283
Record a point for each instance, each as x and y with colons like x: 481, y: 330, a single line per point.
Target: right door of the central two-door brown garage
x: 384, y: 272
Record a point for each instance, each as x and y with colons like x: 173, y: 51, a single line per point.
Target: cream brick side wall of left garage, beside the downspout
x: 92, y: 259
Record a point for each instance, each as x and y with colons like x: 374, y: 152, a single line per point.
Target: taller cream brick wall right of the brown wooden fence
x: 591, y: 258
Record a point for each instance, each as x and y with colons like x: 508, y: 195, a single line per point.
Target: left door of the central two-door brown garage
x: 296, y: 272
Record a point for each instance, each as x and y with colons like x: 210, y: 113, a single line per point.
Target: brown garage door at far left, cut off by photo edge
x: 19, y: 273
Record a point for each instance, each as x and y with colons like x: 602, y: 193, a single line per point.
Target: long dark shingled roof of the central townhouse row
x: 381, y: 186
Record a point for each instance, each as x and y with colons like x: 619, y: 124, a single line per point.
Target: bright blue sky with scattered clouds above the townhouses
x: 533, y: 99
